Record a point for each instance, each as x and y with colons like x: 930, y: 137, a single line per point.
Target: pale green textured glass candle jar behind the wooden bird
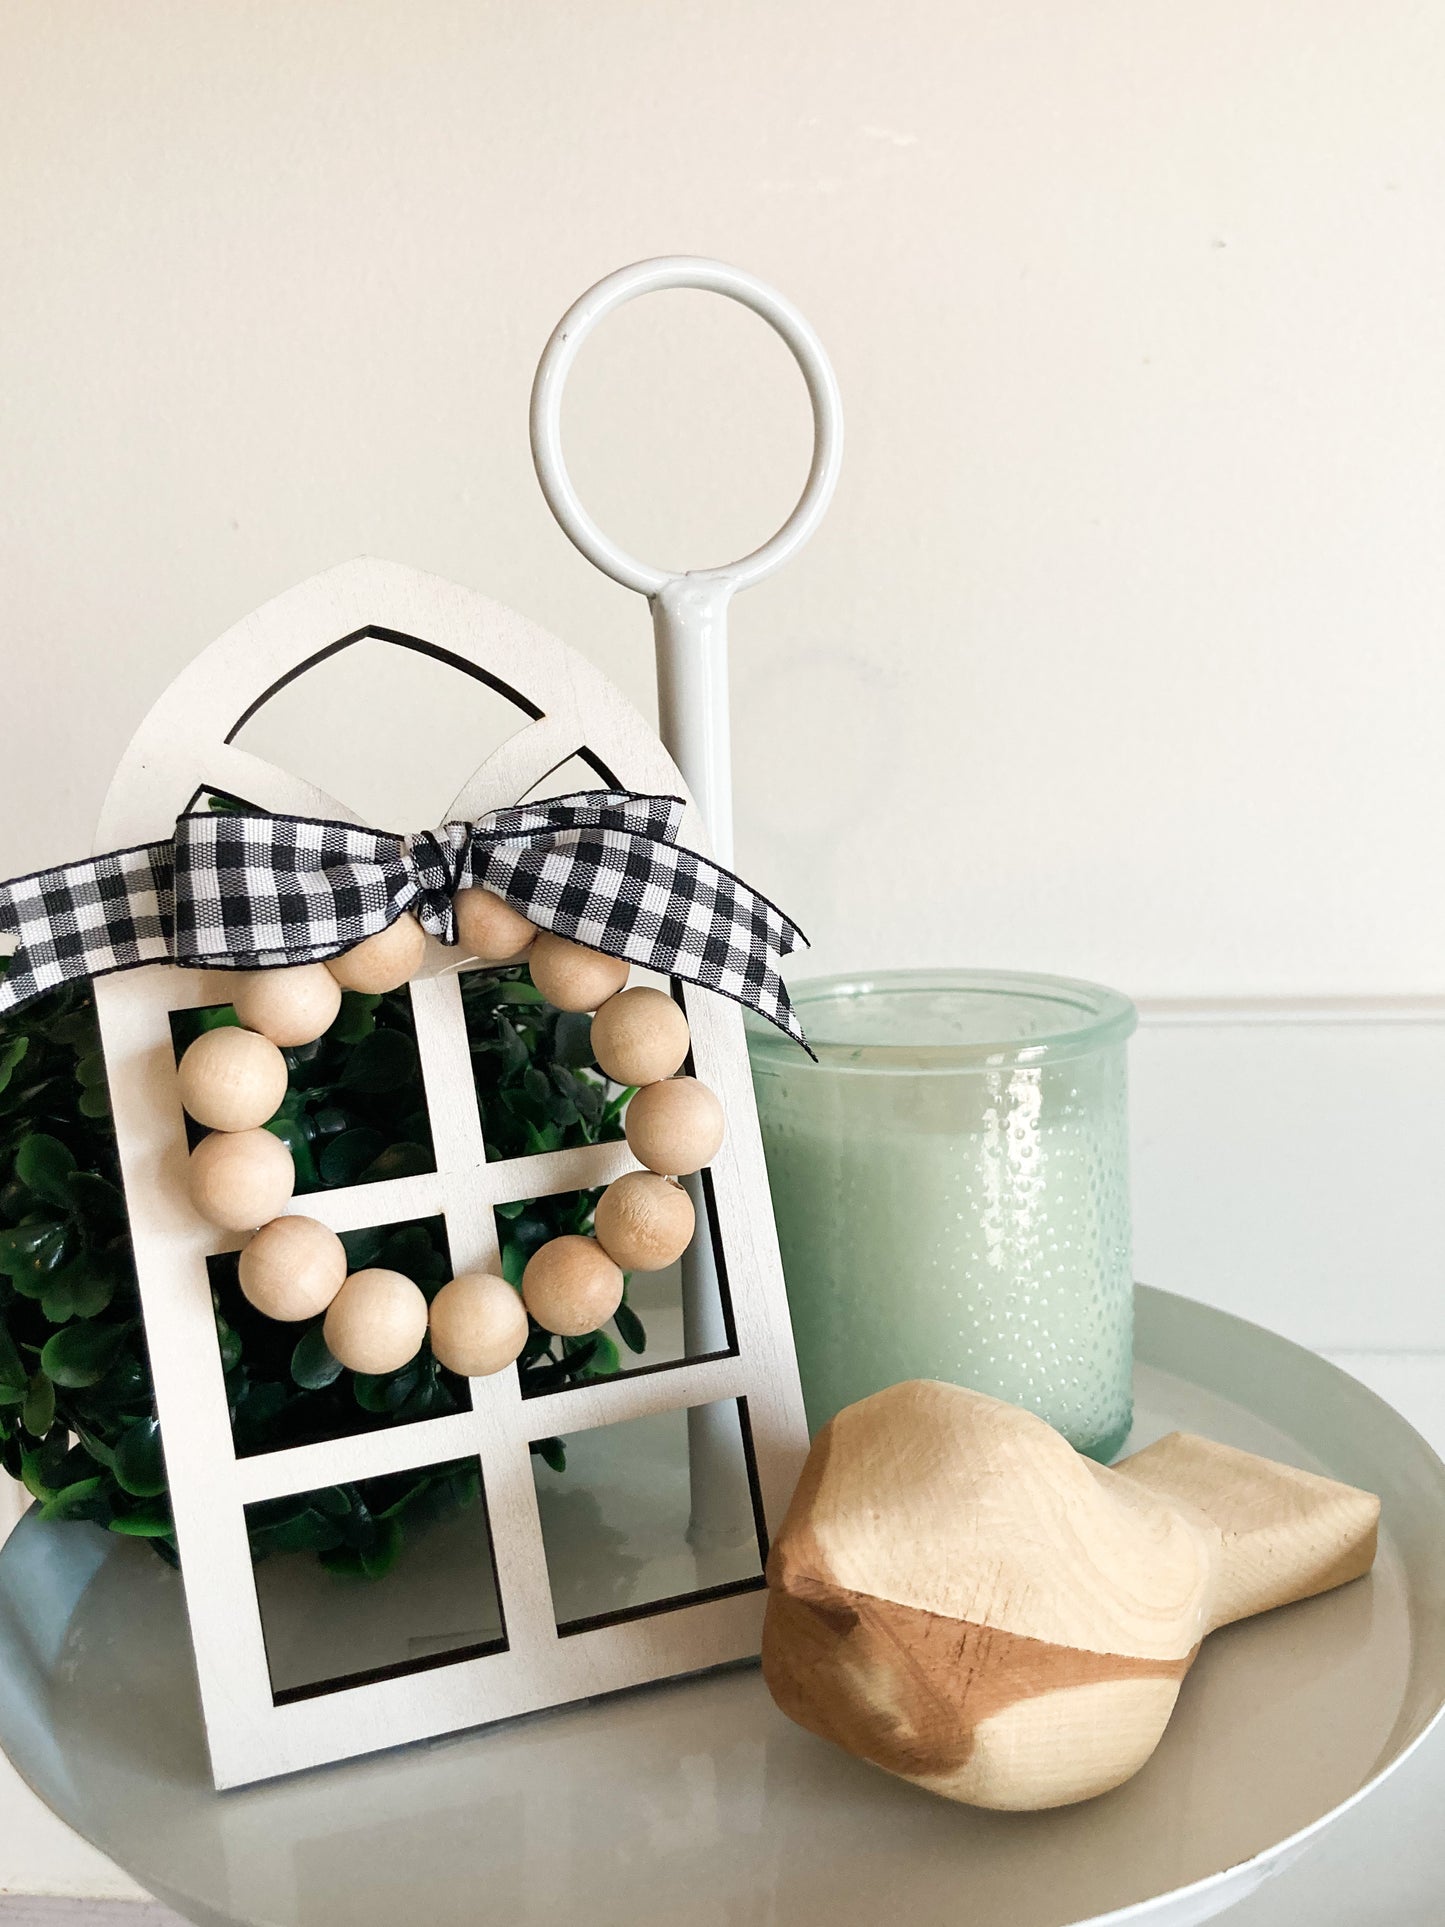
x: 953, y: 1192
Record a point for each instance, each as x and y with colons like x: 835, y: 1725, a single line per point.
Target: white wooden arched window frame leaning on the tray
x: 186, y: 749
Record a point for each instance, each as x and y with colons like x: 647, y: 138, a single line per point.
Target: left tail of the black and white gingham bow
x: 88, y: 920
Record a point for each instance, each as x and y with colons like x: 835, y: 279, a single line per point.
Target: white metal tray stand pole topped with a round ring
x: 691, y: 627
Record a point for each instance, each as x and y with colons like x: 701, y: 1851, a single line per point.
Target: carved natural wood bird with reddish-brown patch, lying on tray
x: 966, y: 1602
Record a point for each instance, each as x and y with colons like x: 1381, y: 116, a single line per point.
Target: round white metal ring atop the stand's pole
x: 716, y: 278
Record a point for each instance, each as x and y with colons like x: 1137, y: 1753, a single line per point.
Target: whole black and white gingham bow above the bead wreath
x: 255, y: 891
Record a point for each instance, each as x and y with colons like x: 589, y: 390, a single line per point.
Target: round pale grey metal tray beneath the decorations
x: 698, y: 1803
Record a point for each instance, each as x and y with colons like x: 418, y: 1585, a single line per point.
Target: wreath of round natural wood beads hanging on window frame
x: 242, y: 1176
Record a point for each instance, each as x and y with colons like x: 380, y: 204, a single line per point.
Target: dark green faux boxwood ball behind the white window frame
x: 76, y: 1404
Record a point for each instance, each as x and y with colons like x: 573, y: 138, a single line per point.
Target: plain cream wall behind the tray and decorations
x: 1120, y: 652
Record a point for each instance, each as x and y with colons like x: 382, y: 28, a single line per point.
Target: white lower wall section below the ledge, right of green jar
x: 1294, y: 1171
